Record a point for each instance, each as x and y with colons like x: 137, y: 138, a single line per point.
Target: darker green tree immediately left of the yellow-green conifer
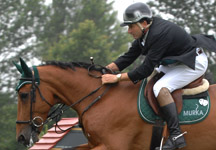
x: 60, y: 21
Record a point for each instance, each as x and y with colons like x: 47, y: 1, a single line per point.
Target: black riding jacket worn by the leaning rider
x: 166, y: 43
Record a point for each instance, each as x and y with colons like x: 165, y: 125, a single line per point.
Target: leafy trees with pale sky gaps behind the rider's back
x: 195, y: 16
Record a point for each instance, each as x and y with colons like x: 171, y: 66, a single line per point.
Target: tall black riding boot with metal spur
x: 176, y: 139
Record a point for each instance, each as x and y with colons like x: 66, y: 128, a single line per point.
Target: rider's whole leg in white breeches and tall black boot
x: 176, y: 76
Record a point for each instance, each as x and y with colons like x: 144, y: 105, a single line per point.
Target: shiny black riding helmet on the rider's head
x: 136, y: 12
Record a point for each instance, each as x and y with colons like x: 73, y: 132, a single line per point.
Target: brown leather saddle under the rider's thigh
x: 177, y: 94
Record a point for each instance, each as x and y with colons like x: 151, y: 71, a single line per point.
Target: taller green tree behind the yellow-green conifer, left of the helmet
x: 102, y: 14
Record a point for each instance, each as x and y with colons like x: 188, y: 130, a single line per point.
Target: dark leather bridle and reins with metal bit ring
x: 53, y: 115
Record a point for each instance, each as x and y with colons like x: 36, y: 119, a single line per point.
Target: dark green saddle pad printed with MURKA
x: 194, y: 110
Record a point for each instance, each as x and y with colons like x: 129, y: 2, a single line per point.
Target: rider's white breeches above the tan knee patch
x: 179, y: 75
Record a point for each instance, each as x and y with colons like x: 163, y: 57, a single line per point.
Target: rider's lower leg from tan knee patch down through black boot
x: 170, y: 115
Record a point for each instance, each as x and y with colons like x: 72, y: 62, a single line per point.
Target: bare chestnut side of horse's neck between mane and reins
x: 69, y: 85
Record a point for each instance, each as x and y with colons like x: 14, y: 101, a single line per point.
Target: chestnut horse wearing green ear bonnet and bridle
x: 111, y: 123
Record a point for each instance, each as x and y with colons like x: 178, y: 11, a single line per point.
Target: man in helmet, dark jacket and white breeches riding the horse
x: 169, y: 48
